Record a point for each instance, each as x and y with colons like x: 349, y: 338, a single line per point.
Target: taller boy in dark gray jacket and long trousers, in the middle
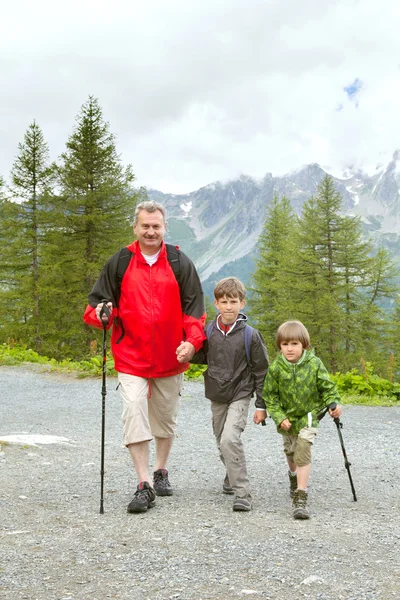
x: 234, y: 373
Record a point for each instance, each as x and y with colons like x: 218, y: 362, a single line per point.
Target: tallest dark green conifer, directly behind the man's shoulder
x: 93, y: 214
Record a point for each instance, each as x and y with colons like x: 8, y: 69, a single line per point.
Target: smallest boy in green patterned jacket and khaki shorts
x: 296, y: 389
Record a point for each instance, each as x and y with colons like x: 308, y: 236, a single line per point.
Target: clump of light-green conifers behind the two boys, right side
x: 318, y: 269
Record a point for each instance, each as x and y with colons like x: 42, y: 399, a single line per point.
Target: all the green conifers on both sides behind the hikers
x: 61, y: 221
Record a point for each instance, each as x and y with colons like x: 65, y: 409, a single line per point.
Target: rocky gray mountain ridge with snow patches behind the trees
x: 218, y: 225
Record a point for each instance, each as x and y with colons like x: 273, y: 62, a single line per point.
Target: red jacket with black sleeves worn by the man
x: 154, y: 315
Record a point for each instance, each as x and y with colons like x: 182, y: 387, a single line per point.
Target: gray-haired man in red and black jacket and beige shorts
x: 150, y: 313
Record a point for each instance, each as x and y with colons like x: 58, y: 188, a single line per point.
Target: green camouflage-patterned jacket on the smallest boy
x: 291, y: 391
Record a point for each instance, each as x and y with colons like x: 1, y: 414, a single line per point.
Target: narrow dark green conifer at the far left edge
x: 23, y: 226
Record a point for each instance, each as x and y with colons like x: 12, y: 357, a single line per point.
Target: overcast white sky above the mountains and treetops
x: 203, y: 90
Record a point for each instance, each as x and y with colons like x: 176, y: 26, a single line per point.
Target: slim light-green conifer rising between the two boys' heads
x: 272, y: 291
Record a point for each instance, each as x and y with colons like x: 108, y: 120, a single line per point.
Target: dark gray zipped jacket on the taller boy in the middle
x: 229, y: 376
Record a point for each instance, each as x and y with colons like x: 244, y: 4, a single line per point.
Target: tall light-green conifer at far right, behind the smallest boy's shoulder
x: 340, y: 284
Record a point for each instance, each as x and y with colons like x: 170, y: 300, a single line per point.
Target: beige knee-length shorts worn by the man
x: 150, y: 406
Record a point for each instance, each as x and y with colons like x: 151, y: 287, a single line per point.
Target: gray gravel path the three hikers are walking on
x: 54, y: 544
